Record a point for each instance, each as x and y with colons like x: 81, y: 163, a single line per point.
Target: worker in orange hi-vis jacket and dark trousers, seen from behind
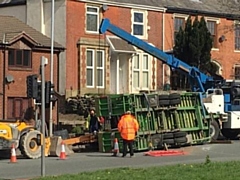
x: 128, y: 127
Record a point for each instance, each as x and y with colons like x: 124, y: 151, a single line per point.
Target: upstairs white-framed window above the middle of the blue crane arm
x: 139, y: 27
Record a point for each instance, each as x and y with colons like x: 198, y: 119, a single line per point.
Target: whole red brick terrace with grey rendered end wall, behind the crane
x: 96, y: 63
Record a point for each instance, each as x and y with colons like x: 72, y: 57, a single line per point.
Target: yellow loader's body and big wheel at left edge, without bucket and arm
x: 23, y: 136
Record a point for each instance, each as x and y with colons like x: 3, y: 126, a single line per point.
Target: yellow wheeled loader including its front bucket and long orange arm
x: 26, y: 136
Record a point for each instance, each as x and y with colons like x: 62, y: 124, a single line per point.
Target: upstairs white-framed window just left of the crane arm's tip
x: 92, y: 19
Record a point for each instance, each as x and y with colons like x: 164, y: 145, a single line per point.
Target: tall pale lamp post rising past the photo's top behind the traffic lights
x: 51, y: 66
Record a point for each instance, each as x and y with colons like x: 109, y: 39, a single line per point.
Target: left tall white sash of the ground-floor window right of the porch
x: 136, y: 72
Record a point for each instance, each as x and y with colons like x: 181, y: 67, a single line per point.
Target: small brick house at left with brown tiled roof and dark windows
x: 21, y: 49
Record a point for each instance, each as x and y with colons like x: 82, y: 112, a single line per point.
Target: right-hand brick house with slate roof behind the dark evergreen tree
x: 224, y: 28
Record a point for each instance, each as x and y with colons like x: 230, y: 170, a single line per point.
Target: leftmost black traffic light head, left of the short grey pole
x: 32, y: 85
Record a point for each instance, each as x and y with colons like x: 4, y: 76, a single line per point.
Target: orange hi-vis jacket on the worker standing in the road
x: 128, y: 126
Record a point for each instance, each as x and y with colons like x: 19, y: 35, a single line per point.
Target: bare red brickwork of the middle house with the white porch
x: 119, y: 16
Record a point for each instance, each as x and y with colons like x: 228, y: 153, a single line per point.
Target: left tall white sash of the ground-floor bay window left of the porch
x: 90, y: 68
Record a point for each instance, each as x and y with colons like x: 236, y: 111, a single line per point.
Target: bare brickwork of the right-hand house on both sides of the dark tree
x: 225, y: 54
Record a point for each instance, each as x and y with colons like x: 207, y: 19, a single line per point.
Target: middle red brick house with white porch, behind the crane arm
x: 125, y: 68
